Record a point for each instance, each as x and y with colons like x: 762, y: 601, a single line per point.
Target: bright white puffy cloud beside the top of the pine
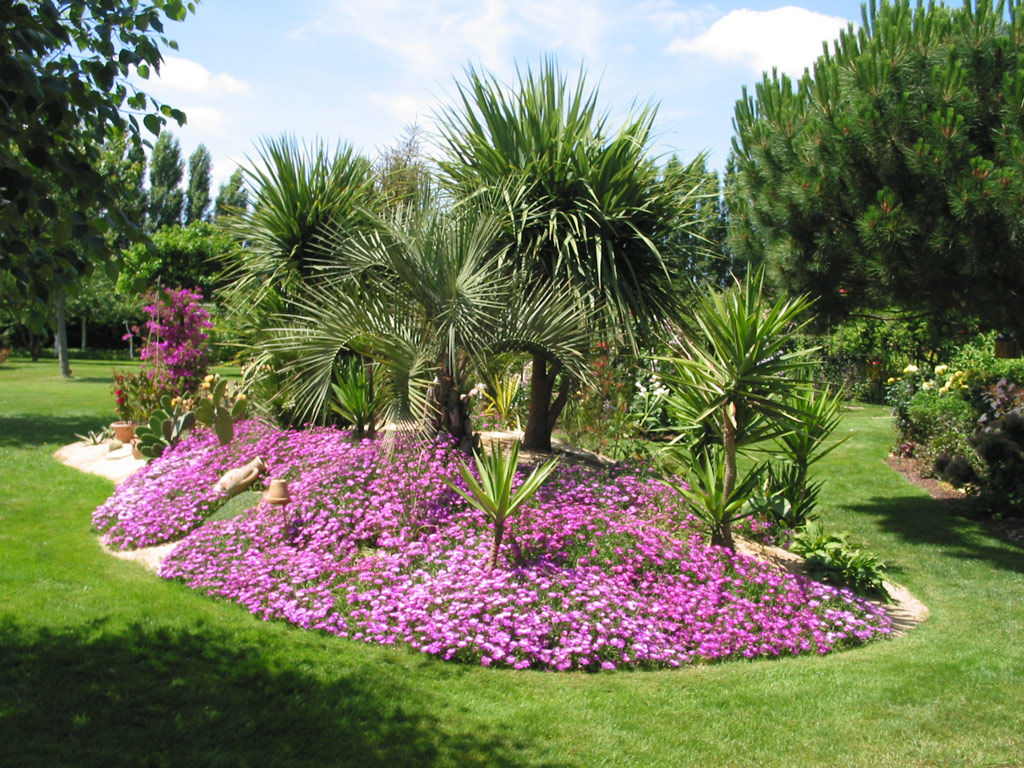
x: 789, y: 38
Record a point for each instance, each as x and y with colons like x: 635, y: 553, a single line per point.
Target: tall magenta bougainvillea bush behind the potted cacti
x: 176, y: 353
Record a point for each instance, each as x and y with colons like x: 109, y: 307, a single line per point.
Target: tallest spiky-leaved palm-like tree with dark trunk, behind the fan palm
x: 582, y: 205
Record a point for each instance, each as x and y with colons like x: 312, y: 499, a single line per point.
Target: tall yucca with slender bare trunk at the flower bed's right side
x: 736, y: 370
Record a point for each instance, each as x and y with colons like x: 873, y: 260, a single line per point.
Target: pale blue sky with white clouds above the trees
x: 361, y: 71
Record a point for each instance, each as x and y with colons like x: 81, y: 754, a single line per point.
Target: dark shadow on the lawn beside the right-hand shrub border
x: 922, y: 521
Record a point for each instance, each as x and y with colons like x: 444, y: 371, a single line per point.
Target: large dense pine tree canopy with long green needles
x: 892, y: 176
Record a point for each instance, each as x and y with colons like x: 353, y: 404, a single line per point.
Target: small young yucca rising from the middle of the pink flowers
x: 493, y: 494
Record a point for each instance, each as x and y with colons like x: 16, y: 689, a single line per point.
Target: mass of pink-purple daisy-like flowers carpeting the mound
x: 603, y: 572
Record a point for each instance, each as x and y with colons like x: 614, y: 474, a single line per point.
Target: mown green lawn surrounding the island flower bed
x: 103, y: 664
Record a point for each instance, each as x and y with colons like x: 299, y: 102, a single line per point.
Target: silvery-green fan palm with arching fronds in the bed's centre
x: 423, y: 295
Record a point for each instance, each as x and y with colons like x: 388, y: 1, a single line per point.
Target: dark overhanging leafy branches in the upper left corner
x: 64, y: 88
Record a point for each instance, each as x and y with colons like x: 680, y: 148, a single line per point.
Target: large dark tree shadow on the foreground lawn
x: 172, y: 699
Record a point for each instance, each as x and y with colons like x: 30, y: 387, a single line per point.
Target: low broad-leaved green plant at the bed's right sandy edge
x: 831, y: 558
